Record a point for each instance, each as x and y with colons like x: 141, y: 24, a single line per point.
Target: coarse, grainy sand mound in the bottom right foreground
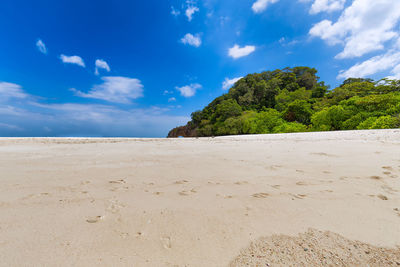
x: 315, y: 248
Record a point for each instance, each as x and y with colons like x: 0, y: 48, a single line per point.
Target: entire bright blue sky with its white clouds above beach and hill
x: 133, y: 68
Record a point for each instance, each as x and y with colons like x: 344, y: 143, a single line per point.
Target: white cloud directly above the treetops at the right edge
x: 390, y: 60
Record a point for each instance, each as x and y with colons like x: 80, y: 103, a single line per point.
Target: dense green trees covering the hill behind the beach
x: 294, y: 100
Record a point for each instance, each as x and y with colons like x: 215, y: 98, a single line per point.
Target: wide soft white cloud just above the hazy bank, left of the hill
x: 115, y: 89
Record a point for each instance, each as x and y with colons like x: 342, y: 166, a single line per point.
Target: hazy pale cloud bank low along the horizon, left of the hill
x: 22, y: 115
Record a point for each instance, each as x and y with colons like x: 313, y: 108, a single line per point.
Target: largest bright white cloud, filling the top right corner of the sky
x: 363, y: 27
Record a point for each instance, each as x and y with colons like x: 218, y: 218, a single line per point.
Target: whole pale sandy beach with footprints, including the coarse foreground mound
x: 264, y: 200
